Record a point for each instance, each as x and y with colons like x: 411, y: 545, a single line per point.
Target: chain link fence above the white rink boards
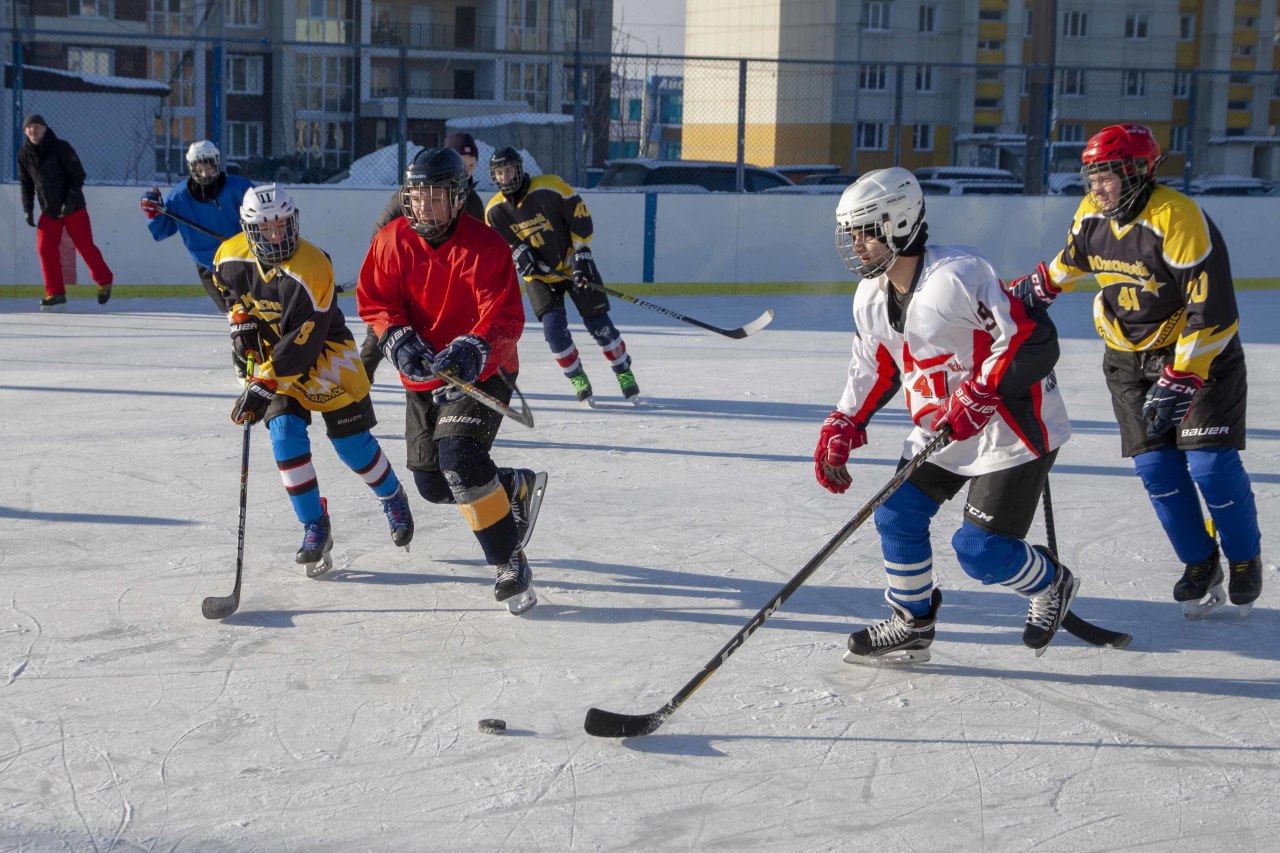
x: 353, y: 115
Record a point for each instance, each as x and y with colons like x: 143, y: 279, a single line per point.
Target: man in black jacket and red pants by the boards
x: 52, y: 172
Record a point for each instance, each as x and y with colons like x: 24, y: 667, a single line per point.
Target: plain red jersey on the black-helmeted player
x: 468, y: 285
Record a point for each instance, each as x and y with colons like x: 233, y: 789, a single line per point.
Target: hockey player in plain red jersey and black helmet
x: 441, y: 291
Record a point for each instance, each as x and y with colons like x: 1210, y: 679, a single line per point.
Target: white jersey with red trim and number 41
x: 959, y: 322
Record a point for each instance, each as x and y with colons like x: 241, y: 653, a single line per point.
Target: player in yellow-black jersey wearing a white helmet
x: 286, y: 314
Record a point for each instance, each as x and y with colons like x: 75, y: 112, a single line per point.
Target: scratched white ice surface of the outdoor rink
x: 341, y: 714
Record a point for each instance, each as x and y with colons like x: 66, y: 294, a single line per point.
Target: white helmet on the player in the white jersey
x: 888, y: 204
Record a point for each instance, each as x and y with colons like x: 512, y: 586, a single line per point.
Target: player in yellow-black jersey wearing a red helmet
x: 1173, y: 363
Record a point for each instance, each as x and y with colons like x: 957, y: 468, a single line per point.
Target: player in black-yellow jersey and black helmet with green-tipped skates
x: 548, y: 229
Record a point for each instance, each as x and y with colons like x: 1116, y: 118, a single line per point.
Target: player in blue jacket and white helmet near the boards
x: 209, y: 198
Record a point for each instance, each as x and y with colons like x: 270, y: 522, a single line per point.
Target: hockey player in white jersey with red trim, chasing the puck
x: 936, y: 322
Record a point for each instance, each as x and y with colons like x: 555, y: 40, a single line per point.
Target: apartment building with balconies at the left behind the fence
x: 319, y: 84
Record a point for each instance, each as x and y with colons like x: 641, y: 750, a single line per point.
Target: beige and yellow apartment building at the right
x: 921, y: 83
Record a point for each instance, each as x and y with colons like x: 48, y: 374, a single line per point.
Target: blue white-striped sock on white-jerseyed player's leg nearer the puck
x: 903, y: 523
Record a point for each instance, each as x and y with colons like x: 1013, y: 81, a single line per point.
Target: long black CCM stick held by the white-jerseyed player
x: 607, y: 724
